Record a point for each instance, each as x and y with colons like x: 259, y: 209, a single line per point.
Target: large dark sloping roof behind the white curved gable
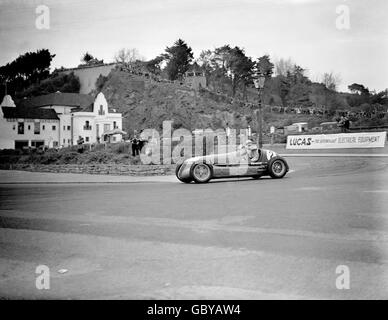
x: 81, y: 101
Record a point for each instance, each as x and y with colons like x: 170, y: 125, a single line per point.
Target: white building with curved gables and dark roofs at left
x: 57, y: 120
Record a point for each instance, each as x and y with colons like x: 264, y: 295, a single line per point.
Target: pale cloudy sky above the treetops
x: 304, y: 30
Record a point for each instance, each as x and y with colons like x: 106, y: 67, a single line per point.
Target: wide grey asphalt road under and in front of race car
x: 229, y: 239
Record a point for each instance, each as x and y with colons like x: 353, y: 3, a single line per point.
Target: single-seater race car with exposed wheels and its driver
x: 247, y: 161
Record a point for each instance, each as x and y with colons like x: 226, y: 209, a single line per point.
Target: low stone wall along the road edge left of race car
x: 113, y: 169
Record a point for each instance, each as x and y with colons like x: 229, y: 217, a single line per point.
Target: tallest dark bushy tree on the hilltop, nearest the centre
x: 178, y: 59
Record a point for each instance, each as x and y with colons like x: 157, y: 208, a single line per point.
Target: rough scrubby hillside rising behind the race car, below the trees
x: 146, y: 103
